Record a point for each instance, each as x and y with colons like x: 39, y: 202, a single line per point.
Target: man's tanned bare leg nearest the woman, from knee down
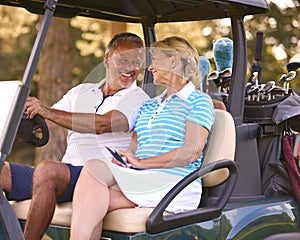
x: 50, y: 180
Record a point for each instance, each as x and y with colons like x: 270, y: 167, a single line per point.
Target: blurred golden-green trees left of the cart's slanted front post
x: 16, y: 38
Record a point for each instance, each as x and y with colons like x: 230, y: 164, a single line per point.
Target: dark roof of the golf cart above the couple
x: 149, y: 11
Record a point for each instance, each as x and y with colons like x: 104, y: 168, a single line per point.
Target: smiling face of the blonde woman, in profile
x: 161, y: 67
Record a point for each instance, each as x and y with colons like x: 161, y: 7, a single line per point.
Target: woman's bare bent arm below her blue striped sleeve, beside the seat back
x: 195, y: 138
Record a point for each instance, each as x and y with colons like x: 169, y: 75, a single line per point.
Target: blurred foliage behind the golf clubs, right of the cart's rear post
x: 281, y: 41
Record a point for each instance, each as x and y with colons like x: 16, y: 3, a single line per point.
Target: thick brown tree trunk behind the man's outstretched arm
x: 55, y: 78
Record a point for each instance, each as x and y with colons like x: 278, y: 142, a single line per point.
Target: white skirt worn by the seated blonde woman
x: 147, y: 187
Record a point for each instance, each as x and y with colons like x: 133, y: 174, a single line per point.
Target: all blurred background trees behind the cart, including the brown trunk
x: 75, y: 46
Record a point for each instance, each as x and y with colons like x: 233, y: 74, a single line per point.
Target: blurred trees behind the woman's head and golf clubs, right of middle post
x: 281, y: 28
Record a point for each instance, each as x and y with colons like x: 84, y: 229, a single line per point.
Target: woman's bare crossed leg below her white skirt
x: 95, y: 190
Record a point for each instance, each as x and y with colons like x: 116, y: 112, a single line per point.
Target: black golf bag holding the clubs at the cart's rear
x: 276, y: 117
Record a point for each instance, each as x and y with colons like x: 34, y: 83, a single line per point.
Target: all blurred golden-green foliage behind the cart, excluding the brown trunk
x: 90, y: 36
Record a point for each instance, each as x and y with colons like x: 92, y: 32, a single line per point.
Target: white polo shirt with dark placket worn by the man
x: 87, y: 98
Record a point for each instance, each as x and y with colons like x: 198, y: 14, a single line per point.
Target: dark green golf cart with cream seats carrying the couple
x: 247, y: 192
